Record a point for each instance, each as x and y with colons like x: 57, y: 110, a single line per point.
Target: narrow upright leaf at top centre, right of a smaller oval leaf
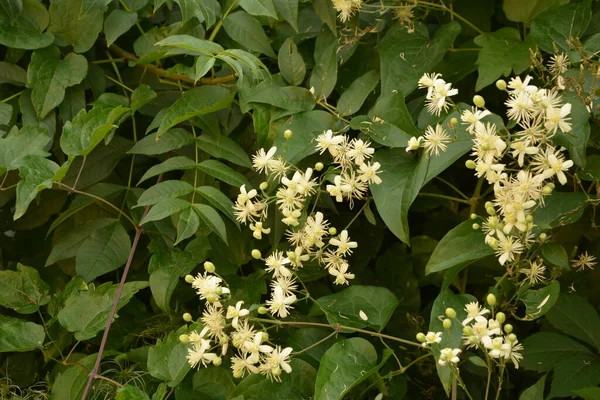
x: 324, y: 74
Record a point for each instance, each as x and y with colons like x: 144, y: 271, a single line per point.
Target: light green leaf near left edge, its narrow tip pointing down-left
x: 37, y: 174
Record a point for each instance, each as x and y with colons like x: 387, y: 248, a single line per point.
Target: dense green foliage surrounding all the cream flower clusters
x: 128, y: 128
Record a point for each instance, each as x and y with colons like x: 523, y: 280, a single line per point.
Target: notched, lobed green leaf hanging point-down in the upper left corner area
x: 48, y: 77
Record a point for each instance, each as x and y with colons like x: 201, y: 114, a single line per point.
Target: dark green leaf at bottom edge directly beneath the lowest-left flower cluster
x: 299, y: 384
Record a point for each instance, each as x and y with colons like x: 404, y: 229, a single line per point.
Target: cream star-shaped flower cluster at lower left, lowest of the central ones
x: 224, y: 325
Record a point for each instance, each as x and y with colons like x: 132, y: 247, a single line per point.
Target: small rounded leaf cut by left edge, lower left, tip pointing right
x: 18, y: 335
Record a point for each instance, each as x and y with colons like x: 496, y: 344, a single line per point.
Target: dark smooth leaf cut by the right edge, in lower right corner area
x: 574, y: 316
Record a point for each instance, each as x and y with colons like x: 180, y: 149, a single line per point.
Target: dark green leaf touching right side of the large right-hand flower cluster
x: 560, y: 208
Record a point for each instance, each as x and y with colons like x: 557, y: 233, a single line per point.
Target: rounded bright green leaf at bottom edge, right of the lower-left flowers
x: 343, y: 366
